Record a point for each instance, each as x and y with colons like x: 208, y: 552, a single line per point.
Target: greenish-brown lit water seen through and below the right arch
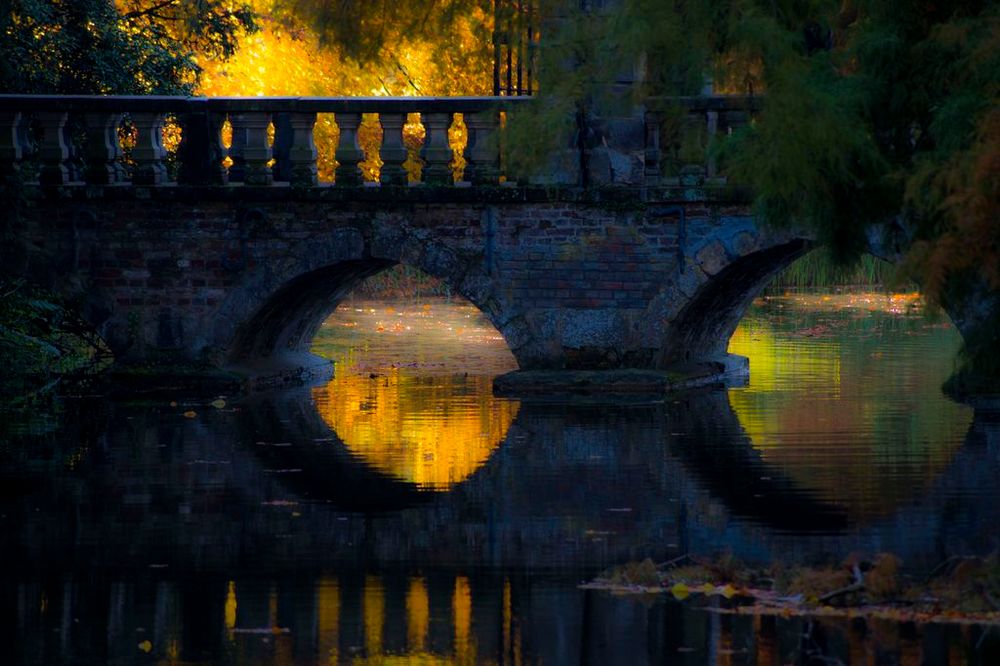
x: 844, y: 395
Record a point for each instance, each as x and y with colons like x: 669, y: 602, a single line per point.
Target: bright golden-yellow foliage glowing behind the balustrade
x: 286, y: 58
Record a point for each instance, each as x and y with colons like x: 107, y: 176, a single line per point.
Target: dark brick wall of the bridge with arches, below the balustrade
x: 180, y: 276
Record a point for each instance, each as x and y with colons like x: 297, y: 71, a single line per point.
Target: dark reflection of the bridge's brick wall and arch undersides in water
x: 571, y: 487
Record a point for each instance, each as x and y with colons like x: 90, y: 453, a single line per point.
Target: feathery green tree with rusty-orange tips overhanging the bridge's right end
x: 874, y: 114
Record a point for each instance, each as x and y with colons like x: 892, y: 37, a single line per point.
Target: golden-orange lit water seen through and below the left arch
x: 412, y: 389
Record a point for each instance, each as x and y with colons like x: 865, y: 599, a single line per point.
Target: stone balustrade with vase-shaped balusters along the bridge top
x: 61, y: 140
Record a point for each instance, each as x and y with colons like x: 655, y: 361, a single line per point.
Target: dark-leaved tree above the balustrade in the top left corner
x: 124, y: 47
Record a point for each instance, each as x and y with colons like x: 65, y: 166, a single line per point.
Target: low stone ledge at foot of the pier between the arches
x: 626, y: 384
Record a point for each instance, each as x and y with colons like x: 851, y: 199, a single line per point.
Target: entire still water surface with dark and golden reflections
x: 403, y: 514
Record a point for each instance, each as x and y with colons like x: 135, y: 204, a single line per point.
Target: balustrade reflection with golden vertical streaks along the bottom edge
x: 438, y: 617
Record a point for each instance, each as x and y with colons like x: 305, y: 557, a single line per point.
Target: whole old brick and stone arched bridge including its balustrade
x: 231, y: 254
